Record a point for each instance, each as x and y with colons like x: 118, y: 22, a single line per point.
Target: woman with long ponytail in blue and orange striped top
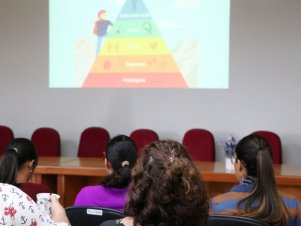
x: 257, y: 195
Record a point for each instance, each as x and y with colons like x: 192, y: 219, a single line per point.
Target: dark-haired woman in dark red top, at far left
x: 18, y: 164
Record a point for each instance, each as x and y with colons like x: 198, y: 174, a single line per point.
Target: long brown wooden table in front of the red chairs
x: 67, y: 175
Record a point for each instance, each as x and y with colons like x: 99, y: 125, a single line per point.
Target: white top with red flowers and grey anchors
x: 17, y: 208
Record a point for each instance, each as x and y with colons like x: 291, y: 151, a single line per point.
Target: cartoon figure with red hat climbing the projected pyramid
x: 101, y: 28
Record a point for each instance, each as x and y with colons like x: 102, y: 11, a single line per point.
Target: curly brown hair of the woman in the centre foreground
x: 167, y: 189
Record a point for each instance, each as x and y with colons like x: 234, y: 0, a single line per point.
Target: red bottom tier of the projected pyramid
x: 137, y: 80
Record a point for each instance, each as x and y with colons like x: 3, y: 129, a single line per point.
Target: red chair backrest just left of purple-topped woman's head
x: 93, y: 142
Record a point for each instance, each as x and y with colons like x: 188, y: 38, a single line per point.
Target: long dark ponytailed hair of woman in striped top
x: 264, y: 202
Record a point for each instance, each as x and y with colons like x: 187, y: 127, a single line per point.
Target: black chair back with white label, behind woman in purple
x: 91, y: 216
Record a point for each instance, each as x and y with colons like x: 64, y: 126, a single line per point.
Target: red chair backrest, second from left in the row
x: 47, y: 141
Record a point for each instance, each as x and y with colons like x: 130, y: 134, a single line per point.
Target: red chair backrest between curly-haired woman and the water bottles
x: 200, y: 144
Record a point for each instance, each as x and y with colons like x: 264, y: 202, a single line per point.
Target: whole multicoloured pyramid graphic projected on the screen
x: 134, y: 54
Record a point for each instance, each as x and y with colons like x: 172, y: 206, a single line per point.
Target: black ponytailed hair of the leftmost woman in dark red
x: 17, y: 152
